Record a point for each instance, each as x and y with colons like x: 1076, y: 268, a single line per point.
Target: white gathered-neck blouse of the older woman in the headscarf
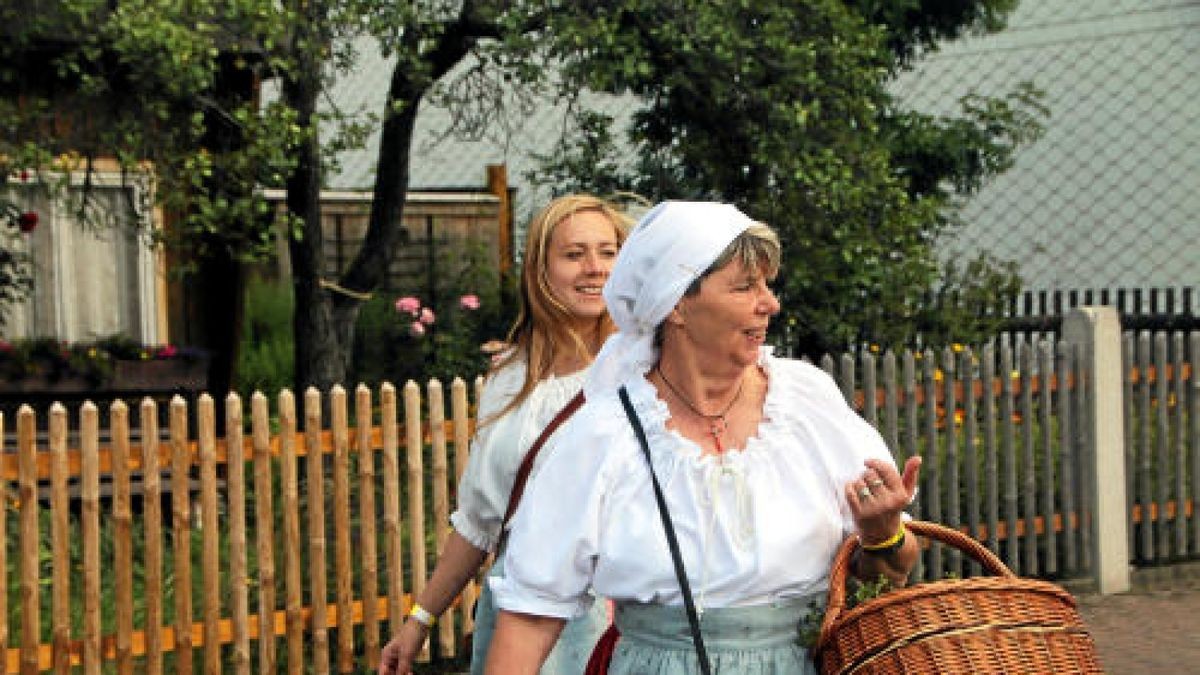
x: 759, y: 525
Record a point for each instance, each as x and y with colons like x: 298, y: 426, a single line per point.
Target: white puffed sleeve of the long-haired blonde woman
x: 485, y: 485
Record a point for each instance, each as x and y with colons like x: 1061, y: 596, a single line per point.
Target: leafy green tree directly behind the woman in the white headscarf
x: 783, y: 109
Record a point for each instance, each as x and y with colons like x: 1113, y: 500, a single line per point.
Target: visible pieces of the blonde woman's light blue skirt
x: 571, y: 654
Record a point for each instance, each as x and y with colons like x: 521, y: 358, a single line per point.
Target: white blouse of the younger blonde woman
x: 500, y: 446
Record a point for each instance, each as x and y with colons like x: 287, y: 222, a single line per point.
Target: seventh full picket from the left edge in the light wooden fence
x: 211, y: 553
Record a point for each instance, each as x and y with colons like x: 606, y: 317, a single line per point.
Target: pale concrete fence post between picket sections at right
x: 1097, y: 332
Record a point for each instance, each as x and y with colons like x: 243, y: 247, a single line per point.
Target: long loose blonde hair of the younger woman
x: 543, y: 330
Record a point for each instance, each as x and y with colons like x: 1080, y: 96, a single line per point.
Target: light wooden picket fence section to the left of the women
x: 302, y: 471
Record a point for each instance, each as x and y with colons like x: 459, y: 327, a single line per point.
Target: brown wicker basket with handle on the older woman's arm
x: 986, y: 625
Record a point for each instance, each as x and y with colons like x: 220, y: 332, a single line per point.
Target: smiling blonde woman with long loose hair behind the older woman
x: 571, y: 248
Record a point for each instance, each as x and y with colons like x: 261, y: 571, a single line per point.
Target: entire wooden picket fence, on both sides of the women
x: 285, y: 510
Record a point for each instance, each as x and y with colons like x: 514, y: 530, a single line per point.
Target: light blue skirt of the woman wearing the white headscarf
x: 751, y: 641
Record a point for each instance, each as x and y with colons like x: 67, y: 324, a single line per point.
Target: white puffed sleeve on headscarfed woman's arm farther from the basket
x: 556, y: 534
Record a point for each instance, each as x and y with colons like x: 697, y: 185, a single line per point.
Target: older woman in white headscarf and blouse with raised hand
x: 761, y: 467
